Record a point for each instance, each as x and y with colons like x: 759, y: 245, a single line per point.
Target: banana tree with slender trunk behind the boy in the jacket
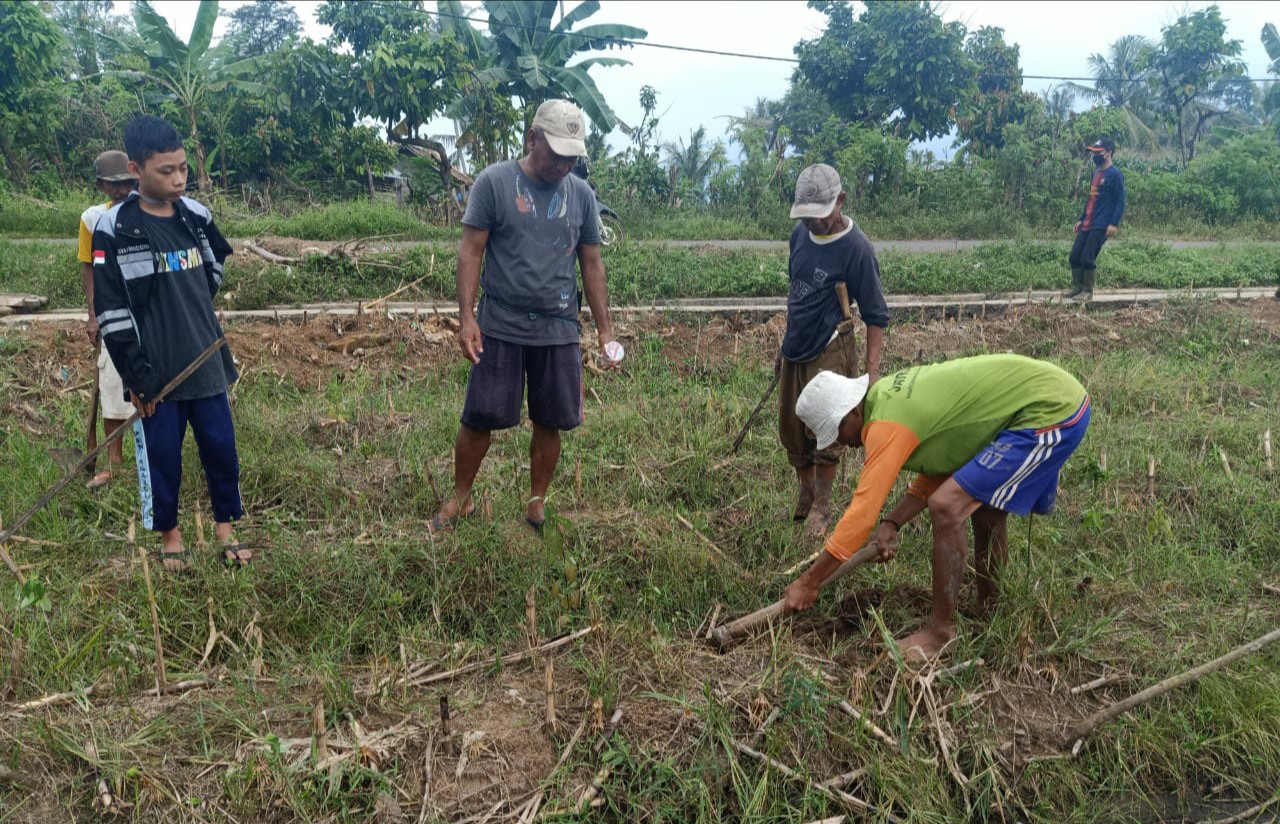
x: 189, y: 72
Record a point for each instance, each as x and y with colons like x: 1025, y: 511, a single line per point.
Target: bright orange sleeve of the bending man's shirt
x: 889, y: 446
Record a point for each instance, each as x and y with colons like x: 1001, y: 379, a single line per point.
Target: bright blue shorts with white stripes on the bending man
x: 1018, y: 471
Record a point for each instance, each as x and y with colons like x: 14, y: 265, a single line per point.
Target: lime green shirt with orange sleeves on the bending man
x: 935, y: 419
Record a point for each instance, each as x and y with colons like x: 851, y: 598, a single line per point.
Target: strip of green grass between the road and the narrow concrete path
x: 642, y: 273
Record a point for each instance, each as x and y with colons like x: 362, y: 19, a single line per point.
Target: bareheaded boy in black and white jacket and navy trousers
x: 158, y: 263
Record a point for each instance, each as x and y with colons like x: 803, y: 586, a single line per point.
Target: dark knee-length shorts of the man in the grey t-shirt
x: 496, y: 388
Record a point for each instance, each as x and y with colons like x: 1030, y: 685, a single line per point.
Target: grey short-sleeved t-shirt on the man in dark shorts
x: 529, y: 278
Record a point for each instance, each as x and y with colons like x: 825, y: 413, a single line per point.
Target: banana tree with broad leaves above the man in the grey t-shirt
x: 528, y: 57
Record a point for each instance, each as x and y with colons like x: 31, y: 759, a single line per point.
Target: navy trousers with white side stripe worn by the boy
x: 159, y: 450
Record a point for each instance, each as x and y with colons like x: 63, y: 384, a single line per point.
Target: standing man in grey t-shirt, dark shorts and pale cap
x: 528, y: 222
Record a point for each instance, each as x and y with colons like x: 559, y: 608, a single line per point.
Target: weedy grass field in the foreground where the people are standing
x: 341, y: 456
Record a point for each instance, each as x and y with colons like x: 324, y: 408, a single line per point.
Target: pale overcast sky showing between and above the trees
x: 1057, y: 38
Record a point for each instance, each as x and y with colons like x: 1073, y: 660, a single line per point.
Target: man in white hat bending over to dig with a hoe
x: 988, y: 436
